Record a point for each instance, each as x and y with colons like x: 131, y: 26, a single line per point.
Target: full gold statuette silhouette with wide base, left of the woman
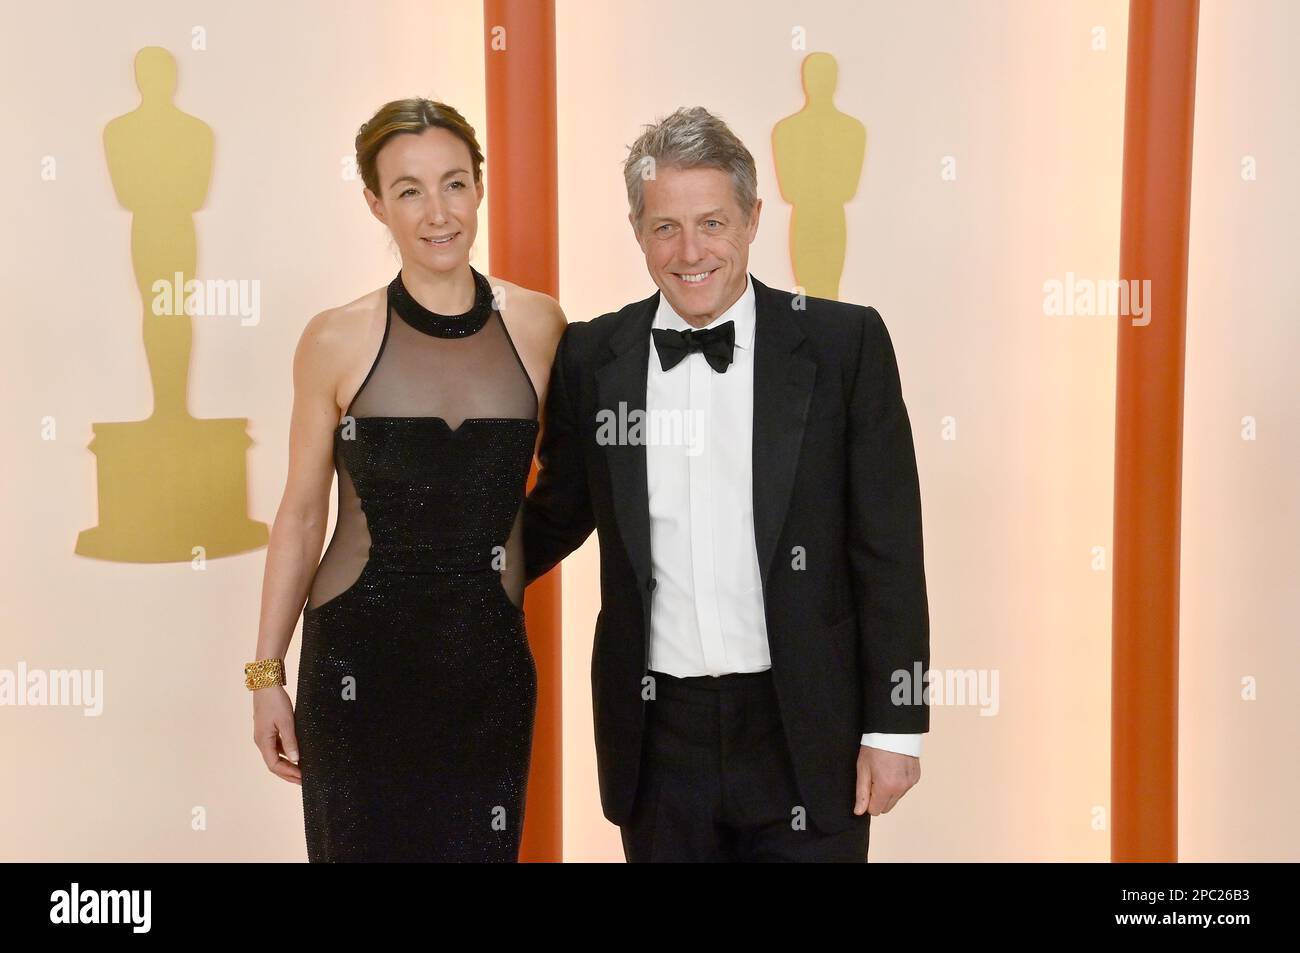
x: 171, y: 483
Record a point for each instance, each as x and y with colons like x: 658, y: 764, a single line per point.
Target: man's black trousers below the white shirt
x: 717, y: 782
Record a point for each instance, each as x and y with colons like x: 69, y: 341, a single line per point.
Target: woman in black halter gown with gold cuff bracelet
x: 417, y: 686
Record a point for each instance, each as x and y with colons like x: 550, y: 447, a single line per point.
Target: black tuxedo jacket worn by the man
x: 837, y: 525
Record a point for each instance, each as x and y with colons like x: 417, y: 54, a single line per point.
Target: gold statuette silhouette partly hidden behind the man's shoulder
x: 818, y: 154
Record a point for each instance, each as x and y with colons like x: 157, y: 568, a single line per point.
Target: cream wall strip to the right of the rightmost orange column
x: 1240, y: 774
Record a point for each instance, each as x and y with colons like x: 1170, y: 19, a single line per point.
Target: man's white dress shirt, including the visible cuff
x: 708, y: 613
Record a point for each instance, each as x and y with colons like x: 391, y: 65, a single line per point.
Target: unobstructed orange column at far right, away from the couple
x: 1158, y: 174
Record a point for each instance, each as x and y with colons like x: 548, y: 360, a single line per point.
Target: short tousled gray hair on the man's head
x: 688, y: 140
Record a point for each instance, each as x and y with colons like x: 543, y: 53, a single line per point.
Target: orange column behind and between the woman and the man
x: 519, y: 42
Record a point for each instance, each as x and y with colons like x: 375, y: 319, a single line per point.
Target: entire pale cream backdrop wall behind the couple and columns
x: 1033, y: 116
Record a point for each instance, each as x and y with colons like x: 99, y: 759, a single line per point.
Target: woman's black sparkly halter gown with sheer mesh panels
x: 417, y: 687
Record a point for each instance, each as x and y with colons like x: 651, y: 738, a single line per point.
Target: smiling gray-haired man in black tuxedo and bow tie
x: 748, y: 462
